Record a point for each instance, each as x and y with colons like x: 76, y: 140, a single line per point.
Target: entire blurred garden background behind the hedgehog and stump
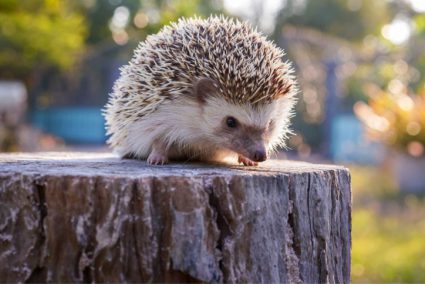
x: 360, y: 66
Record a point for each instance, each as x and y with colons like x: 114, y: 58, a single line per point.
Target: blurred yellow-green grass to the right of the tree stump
x: 388, y: 233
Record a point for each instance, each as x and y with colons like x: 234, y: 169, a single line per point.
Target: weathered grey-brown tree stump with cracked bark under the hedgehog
x: 73, y: 217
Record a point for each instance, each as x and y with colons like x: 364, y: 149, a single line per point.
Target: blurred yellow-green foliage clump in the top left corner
x: 38, y: 33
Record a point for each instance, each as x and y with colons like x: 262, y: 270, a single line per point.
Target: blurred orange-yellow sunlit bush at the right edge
x: 392, y: 83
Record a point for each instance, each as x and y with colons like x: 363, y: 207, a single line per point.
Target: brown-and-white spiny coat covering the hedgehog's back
x: 246, y: 68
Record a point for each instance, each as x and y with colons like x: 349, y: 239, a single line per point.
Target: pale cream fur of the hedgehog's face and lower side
x: 198, y: 130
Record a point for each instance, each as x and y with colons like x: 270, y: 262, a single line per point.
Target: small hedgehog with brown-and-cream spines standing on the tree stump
x: 209, y: 90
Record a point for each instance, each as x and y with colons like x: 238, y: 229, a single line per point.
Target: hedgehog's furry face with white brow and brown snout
x: 258, y: 128
